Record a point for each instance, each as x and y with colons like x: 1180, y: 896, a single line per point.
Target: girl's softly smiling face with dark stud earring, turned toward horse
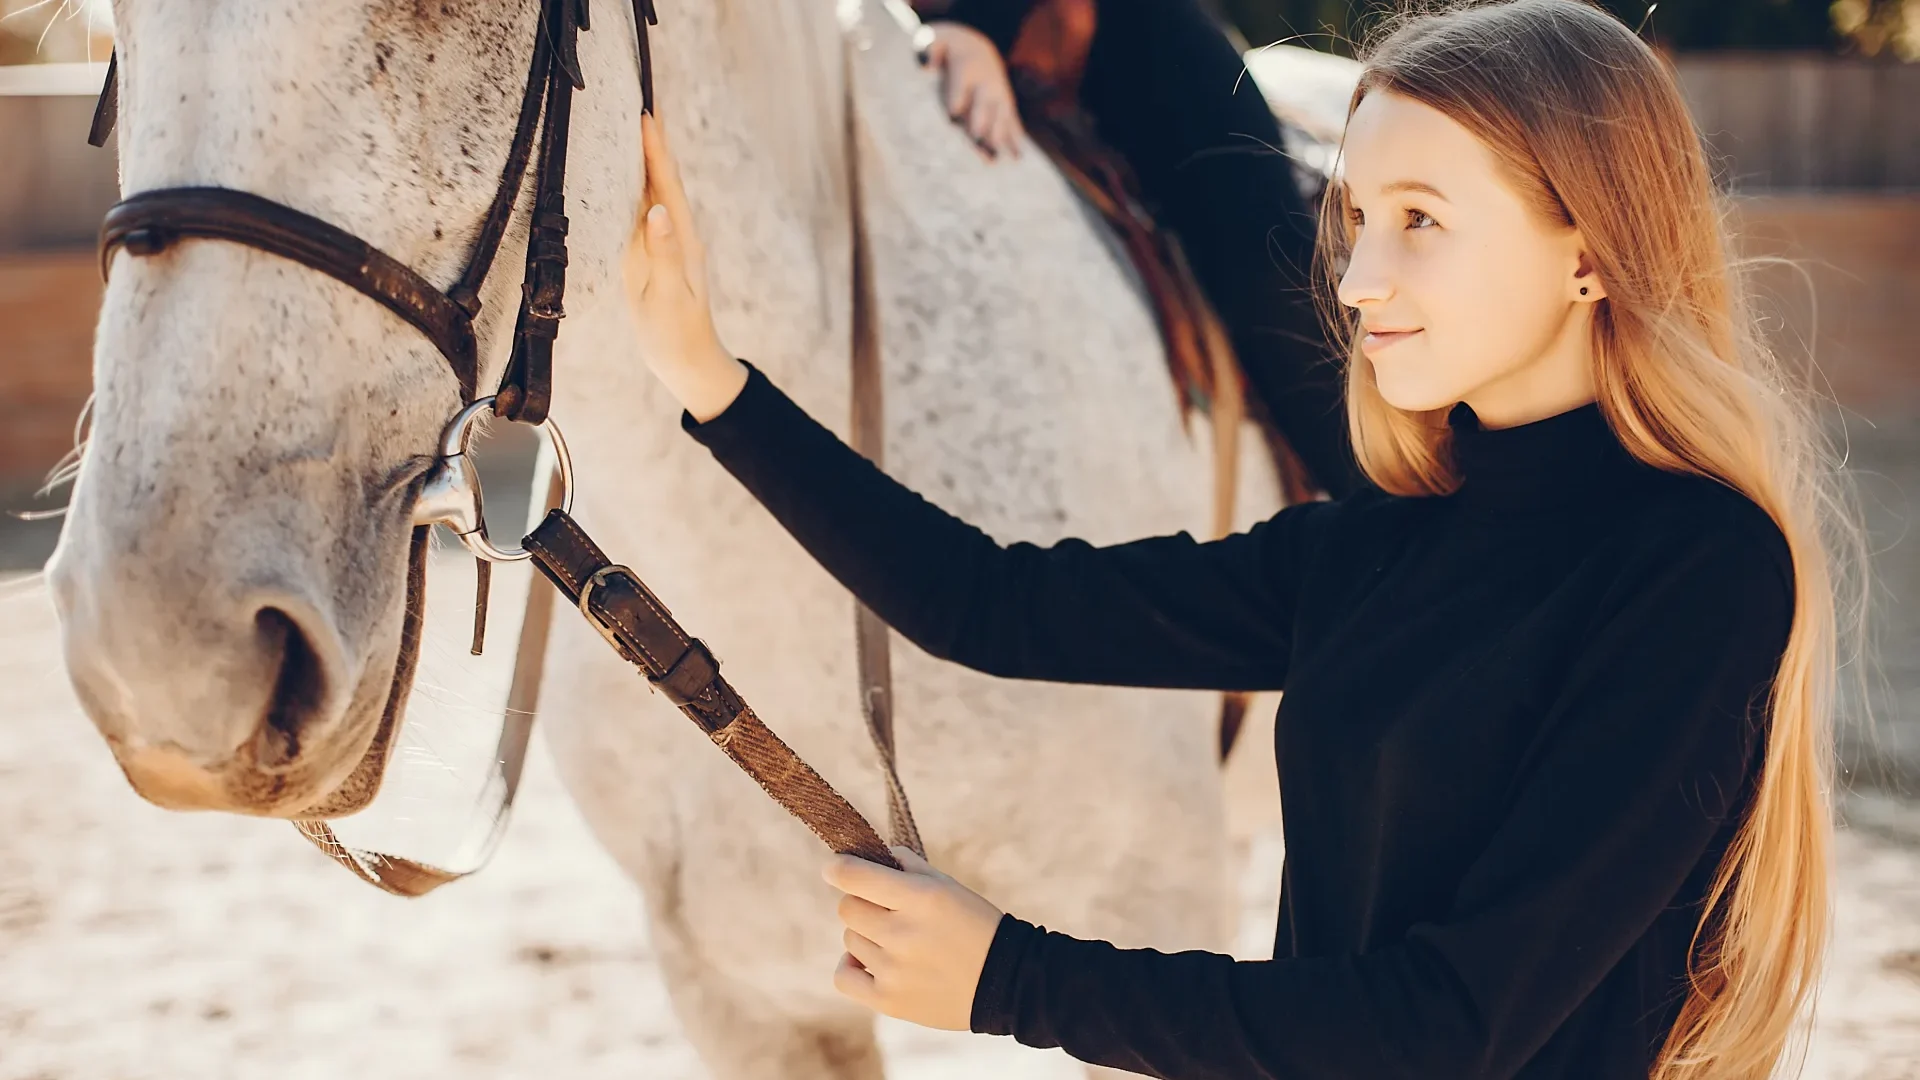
x: 1464, y: 291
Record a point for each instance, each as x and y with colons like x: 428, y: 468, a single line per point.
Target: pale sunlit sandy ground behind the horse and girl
x: 139, y: 945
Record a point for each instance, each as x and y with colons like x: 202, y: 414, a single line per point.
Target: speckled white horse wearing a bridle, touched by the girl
x: 229, y: 579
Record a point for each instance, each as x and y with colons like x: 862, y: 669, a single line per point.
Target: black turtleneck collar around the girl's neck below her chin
x: 1554, y: 464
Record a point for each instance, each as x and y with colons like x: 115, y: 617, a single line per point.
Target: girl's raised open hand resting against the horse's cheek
x: 667, y: 291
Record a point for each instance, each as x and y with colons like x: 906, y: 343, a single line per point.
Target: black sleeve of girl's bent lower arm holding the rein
x: 1641, y: 764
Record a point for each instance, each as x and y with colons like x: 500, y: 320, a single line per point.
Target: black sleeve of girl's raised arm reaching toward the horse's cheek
x: 1164, y: 612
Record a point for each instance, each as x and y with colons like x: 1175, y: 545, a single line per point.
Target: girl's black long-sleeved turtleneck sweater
x: 1520, y: 729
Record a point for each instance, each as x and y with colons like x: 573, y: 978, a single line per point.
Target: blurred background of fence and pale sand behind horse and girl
x: 139, y: 945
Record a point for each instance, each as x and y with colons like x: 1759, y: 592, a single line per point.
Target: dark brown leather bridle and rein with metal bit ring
x: 608, y: 595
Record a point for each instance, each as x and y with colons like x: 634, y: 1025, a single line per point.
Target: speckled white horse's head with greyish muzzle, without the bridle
x: 231, y: 579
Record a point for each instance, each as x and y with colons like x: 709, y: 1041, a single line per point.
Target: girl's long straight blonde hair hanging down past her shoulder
x: 1591, y: 128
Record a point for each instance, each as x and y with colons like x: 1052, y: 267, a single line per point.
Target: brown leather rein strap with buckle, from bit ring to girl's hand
x: 646, y: 635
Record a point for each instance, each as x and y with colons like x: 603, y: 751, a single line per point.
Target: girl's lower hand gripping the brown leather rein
x: 917, y: 941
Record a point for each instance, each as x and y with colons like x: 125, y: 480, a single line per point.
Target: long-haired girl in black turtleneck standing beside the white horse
x: 1554, y: 745
